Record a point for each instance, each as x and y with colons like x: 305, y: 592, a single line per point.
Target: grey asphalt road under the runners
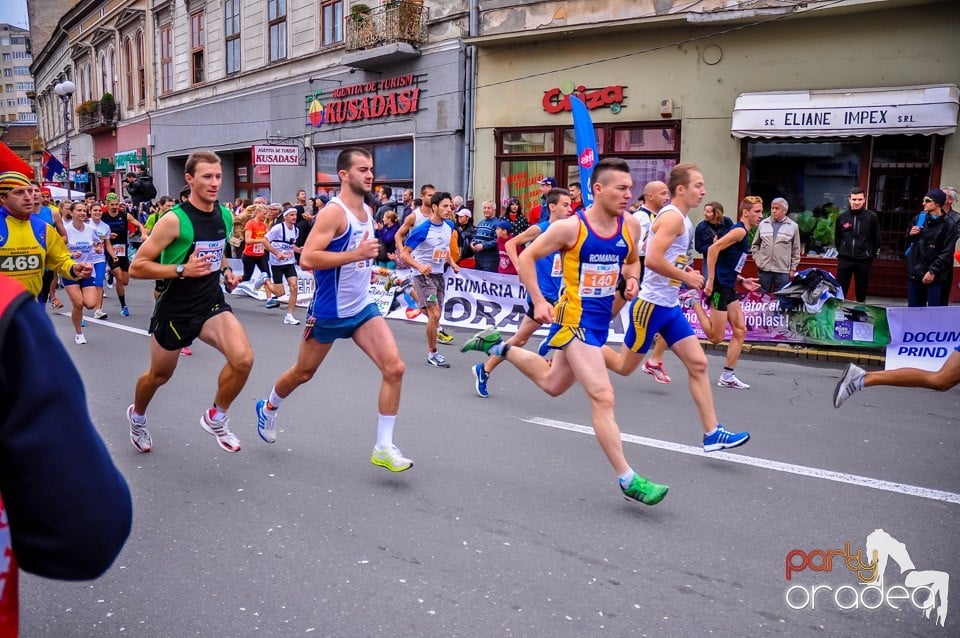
x: 511, y: 522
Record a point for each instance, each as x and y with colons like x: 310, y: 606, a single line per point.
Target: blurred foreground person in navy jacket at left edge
x: 65, y: 509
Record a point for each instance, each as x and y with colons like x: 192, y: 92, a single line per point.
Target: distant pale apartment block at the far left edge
x: 16, y: 83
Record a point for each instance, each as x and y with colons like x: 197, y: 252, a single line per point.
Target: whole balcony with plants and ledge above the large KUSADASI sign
x: 398, y: 27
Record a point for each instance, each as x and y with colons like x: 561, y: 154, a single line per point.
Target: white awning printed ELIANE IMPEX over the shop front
x: 909, y: 110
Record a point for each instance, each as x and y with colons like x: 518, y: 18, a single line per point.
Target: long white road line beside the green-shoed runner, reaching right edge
x: 777, y: 466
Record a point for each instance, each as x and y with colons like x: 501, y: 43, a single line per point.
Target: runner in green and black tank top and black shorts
x: 185, y: 249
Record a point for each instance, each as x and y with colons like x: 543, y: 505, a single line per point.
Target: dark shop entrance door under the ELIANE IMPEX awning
x: 895, y: 194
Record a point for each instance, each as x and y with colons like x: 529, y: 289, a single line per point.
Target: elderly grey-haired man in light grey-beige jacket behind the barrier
x: 776, y: 247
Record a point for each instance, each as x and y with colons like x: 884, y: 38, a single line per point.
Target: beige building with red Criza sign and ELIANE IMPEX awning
x: 800, y: 100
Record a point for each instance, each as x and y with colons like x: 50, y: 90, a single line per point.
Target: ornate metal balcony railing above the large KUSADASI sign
x: 395, y: 21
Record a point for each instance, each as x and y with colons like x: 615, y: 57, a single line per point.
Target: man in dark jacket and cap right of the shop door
x: 930, y: 254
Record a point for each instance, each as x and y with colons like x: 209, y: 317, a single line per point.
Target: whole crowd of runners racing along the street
x: 579, y: 263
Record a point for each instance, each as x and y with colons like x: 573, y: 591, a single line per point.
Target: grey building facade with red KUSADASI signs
x: 299, y: 80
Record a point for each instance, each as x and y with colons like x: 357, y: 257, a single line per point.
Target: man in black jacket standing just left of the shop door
x: 857, y: 238
